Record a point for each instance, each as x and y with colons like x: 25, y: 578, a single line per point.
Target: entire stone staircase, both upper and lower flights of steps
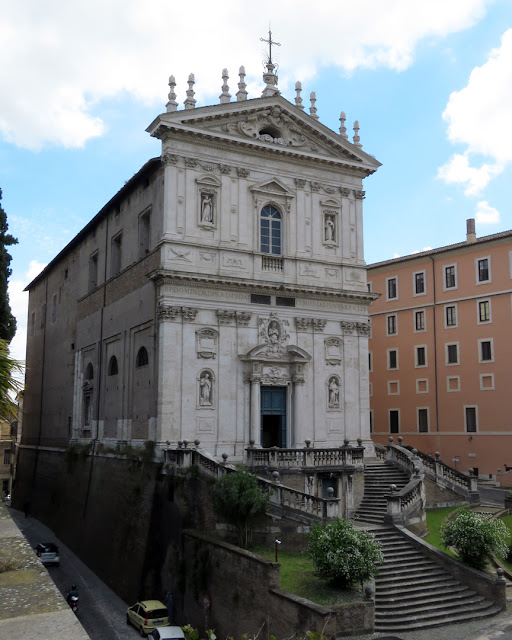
x: 411, y: 591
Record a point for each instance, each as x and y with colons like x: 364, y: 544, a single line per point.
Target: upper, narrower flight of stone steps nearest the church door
x: 378, y: 477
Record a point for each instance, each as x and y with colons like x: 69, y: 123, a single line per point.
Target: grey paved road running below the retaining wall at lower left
x: 101, y: 612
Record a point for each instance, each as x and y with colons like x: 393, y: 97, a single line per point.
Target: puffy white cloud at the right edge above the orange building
x: 478, y: 117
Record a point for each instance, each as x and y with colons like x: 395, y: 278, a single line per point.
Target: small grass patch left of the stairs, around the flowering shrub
x: 297, y: 577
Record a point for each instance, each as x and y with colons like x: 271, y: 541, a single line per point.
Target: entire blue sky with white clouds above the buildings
x: 430, y: 84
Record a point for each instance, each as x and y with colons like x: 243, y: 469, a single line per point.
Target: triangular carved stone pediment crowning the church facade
x: 267, y: 123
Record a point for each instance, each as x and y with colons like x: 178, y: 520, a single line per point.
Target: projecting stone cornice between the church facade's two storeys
x: 168, y: 277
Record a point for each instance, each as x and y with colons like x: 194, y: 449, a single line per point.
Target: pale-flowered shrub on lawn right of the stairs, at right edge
x: 475, y: 537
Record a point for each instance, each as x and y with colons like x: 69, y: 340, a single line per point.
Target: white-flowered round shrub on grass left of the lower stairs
x: 342, y: 554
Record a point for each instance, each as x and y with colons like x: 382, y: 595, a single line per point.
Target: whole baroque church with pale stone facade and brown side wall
x: 220, y: 296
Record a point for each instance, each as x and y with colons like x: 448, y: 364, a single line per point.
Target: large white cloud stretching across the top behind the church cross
x: 60, y: 58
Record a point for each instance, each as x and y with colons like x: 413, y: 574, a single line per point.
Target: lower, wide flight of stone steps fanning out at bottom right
x: 413, y: 592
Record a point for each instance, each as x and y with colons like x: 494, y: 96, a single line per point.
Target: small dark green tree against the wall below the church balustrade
x: 240, y: 500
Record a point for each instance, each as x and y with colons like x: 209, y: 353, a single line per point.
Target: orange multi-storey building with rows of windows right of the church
x: 440, y: 352
